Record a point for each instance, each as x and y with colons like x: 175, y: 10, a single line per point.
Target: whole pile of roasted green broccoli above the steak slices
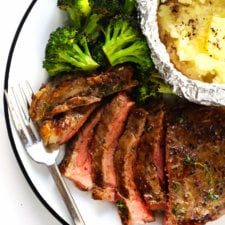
x: 101, y: 33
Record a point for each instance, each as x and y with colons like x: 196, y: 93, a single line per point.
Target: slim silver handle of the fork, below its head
x: 66, y: 195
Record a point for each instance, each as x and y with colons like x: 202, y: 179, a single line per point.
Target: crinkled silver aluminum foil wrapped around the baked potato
x: 194, y: 91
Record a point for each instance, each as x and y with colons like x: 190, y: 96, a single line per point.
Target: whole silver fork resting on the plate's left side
x: 18, y: 104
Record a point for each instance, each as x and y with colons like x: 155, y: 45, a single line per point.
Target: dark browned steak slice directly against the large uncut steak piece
x: 149, y: 166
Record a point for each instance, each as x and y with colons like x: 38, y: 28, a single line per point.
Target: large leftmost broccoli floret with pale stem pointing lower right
x: 67, y: 50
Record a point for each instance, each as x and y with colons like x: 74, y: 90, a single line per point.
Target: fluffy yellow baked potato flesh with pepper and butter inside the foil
x: 193, y: 32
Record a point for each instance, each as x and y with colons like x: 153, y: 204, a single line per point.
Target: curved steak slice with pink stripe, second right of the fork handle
x: 105, y: 141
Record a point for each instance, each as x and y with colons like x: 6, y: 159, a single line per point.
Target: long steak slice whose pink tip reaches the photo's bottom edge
x: 131, y: 207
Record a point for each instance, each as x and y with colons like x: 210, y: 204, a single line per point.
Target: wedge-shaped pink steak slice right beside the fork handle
x: 77, y: 163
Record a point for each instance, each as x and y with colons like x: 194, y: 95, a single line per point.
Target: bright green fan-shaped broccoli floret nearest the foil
x: 124, y: 43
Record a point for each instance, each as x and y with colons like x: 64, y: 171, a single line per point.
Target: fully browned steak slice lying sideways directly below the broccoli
x: 70, y: 91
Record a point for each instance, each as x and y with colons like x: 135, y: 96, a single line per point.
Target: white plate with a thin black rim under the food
x: 25, y: 63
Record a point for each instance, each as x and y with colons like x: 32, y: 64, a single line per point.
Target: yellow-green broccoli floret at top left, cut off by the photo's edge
x: 77, y: 10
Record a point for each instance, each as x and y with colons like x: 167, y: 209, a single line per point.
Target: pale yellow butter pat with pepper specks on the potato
x: 216, y: 38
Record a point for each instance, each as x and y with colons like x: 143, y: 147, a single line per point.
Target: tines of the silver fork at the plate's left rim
x: 18, y: 102
